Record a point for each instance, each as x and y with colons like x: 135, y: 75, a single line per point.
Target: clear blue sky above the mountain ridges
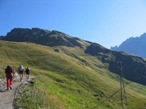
x: 107, y: 22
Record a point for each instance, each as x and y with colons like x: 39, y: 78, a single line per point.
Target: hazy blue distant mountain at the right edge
x: 134, y: 45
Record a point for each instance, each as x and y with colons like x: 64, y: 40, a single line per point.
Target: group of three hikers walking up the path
x: 10, y: 72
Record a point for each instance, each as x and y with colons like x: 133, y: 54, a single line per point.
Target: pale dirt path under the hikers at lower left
x: 7, y: 96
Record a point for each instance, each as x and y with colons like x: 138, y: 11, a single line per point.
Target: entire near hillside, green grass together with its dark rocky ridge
x: 71, y: 73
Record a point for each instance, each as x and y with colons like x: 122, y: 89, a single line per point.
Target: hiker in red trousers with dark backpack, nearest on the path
x: 9, y: 71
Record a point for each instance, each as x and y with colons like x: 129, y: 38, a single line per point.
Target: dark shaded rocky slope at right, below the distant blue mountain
x: 132, y: 66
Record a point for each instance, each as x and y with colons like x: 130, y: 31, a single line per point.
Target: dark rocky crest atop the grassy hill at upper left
x: 40, y: 36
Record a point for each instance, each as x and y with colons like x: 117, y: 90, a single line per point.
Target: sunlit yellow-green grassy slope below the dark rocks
x: 73, y: 81
